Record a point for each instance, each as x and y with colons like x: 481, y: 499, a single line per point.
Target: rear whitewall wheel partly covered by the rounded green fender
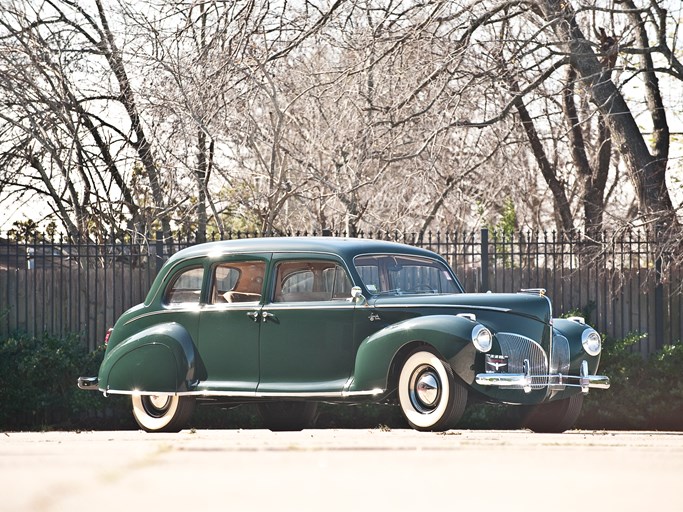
x: 162, y: 413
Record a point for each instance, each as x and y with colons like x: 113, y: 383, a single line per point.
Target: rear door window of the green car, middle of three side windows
x: 239, y: 281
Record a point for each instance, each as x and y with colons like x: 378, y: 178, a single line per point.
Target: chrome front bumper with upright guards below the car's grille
x: 528, y: 382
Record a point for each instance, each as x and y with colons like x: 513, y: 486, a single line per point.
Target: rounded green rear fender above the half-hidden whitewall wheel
x: 158, y: 359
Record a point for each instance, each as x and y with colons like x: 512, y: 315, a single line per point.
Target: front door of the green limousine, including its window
x: 307, y: 342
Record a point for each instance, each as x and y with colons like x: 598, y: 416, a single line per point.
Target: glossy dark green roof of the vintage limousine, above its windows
x: 345, y: 247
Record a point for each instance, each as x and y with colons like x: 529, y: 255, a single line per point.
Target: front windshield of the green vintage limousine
x: 392, y: 274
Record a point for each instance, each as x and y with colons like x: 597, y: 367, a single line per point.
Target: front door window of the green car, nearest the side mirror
x: 298, y: 281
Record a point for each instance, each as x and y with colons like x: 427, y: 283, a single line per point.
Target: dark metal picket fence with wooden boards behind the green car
x: 63, y: 288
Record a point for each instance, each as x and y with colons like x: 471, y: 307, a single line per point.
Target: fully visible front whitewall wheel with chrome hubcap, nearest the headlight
x: 431, y: 397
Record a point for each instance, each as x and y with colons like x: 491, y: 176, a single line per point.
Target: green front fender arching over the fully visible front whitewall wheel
x: 450, y: 335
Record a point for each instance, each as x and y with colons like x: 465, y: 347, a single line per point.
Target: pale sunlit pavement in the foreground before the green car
x: 340, y: 470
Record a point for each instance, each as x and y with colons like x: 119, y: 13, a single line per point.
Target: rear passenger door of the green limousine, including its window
x: 229, y: 324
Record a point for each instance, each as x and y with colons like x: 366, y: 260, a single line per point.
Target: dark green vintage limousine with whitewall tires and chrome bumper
x: 288, y: 323
